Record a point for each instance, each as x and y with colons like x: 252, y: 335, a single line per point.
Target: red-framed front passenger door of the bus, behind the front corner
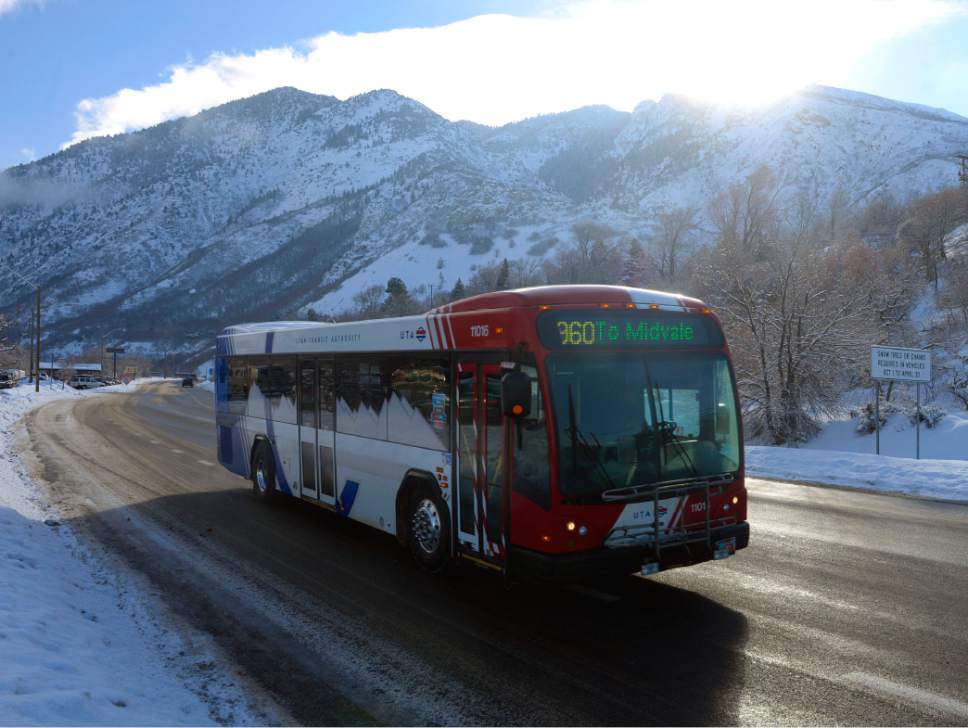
x: 480, y: 432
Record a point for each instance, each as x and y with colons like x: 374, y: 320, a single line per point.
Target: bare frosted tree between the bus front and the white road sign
x: 796, y: 324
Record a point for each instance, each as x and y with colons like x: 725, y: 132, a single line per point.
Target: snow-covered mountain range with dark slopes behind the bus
x: 261, y: 207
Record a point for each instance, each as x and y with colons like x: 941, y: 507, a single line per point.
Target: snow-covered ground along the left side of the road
x: 79, y: 643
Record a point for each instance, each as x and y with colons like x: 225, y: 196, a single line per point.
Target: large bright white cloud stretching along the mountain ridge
x: 499, y: 68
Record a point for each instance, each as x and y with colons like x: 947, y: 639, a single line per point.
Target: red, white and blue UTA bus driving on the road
x: 557, y: 432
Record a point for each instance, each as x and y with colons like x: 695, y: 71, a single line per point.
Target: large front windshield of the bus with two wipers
x: 632, y: 418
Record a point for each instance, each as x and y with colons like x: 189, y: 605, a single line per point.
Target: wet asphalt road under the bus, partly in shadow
x: 846, y: 608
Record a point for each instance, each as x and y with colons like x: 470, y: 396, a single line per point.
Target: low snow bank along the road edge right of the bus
x: 931, y: 478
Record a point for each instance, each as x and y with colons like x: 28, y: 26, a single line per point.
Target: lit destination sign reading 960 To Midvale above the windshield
x: 625, y: 329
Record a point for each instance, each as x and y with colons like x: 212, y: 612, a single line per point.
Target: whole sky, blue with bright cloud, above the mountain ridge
x: 74, y: 69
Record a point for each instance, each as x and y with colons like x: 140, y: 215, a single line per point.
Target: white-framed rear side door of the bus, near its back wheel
x: 316, y: 431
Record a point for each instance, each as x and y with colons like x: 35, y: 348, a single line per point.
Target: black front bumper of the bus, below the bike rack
x: 622, y: 561
